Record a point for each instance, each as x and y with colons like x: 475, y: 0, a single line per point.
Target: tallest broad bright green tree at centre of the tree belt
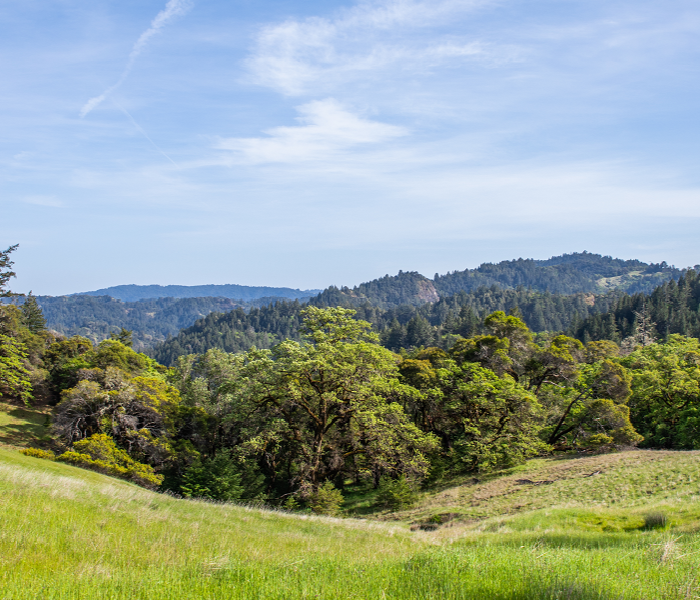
x: 324, y: 409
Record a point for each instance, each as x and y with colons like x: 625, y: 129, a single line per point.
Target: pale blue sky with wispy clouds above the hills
x: 306, y: 143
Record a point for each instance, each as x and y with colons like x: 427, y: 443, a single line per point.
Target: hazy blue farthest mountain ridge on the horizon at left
x: 134, y: 293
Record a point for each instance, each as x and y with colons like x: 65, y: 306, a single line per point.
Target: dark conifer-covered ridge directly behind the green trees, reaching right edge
x: 671, y: 308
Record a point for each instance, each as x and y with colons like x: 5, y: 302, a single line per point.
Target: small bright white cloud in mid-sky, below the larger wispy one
x: 326, y: 129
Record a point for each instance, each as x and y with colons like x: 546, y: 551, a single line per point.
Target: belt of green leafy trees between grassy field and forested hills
x: 300, y: 423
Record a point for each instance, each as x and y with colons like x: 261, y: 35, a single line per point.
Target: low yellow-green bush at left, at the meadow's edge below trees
x: 100, y: 453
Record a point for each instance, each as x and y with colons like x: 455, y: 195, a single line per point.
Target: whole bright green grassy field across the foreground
x: 69, y: 533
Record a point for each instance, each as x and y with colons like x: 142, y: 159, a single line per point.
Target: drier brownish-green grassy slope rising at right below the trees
x: 627, y: 481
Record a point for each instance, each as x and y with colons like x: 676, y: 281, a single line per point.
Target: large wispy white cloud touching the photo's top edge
x: 297, y: 55
